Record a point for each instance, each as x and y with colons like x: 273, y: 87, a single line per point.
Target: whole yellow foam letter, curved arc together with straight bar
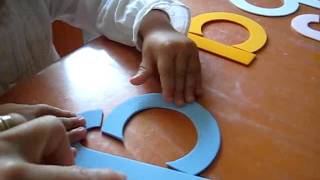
x: 242, y: 53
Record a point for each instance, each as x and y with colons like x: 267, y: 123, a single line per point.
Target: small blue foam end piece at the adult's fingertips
x: 93, y: 118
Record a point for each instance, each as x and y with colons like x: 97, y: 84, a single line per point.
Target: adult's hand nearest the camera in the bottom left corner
x: 40, y: 149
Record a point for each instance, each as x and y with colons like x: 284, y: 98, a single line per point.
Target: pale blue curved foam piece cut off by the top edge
x: 288, y: 7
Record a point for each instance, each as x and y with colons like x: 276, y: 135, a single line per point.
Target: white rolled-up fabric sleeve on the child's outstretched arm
x: 119, y: 20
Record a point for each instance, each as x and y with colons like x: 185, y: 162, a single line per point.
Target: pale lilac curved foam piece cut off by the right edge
x: 301, y: 25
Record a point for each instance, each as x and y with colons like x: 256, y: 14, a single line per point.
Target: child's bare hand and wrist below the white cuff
x: 173, y: 56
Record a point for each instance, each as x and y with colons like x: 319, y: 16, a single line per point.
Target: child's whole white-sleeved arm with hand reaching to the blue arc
x: 175, y: 56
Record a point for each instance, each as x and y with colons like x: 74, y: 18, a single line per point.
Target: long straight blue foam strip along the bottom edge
x: 134, y: 170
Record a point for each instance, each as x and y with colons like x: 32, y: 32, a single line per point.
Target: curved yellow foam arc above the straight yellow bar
x: 258, y: 36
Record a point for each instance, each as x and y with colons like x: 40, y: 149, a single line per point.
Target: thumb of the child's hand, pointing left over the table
x: 144, y: 72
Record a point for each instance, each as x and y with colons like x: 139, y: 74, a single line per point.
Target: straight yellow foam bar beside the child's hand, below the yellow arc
x: 227, y: 51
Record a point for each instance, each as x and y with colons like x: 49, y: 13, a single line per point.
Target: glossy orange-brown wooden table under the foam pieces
x: 268, y: 113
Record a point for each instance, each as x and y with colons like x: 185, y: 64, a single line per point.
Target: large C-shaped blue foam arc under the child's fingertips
x: 207, y: 146
